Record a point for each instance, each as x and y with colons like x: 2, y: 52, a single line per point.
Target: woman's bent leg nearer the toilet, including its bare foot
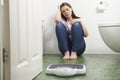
x: 78, y: 42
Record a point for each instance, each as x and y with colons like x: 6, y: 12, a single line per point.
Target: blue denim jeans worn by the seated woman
x: 76, y: 44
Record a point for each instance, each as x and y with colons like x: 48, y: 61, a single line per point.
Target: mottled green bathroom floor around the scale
x: 99, y: 67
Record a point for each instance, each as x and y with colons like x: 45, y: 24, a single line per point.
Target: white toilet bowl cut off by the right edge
x: 111, y: 36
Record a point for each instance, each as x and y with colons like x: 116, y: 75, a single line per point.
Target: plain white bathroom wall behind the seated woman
x: 87, y: 10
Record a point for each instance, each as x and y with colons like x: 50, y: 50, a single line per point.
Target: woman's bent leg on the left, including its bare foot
x: 62, y: 37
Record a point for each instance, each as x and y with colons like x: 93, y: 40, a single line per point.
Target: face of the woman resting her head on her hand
x: 66, y: 11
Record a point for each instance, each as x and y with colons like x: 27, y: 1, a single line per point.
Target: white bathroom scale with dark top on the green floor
x: 66, y: 69
